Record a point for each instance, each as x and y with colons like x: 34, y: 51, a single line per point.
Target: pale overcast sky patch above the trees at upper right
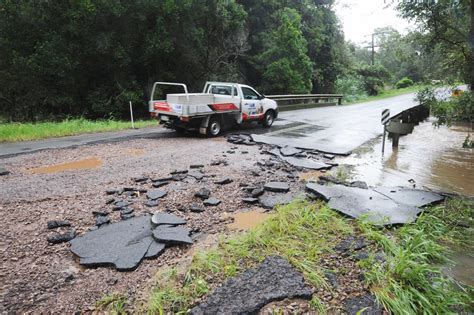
x: 359, y: 18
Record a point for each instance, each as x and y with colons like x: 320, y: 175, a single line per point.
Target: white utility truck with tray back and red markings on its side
x: 220, y: 105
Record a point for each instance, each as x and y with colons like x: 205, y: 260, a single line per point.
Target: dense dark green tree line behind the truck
x: 90, y: 57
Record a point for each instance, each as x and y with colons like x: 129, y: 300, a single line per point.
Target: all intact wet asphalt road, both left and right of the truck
x: 334, y: 129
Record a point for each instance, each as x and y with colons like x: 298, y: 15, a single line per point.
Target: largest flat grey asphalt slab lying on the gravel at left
x: 122, y: 244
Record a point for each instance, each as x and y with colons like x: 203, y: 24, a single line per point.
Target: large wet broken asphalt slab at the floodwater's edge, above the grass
x: 378, y: 208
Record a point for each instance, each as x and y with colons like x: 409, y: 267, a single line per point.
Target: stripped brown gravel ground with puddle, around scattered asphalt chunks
x: 36, y: 276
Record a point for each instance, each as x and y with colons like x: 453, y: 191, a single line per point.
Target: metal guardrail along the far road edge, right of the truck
x: 306, y: 100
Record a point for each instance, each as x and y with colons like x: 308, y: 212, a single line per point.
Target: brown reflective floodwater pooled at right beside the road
x: 430, y: 158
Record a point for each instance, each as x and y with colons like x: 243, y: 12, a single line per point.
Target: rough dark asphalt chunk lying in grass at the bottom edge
x: 273, y: 280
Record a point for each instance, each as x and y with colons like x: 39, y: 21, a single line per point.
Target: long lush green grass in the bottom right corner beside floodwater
x: 411, y: 281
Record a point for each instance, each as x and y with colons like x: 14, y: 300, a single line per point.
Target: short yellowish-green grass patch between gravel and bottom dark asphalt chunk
x: 301, y: 232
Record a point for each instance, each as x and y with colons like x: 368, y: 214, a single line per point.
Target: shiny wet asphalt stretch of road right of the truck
x: 336, y: 129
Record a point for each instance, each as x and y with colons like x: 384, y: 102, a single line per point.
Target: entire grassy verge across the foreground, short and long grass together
x: 407, y: 280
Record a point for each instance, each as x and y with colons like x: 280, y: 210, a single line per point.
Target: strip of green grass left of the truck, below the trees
x: 10, y: 132
